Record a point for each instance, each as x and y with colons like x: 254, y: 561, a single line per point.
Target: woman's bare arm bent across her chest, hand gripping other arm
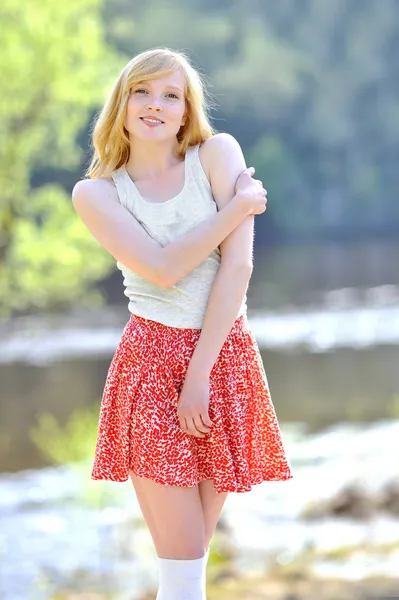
x: 115, y: 228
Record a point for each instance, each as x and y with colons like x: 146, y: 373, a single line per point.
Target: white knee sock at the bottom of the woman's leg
x: 182, y: 579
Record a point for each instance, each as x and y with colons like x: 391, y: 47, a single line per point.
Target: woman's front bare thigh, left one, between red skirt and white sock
x: 174, y: 517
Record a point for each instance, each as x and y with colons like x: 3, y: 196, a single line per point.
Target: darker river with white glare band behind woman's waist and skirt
x: 327, y: 315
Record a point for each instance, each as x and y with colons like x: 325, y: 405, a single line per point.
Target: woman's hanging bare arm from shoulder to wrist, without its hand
x: 226, y: 161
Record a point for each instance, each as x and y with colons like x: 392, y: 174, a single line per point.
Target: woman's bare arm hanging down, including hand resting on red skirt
x: 228, y: 290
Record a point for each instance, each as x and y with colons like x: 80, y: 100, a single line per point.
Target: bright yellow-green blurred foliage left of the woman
x: 54, y: 68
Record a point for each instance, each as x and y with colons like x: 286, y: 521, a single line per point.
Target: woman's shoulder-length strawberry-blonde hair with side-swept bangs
x: 110, y: 139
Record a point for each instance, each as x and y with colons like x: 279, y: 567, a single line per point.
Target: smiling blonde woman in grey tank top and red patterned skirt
x: 186, y: 411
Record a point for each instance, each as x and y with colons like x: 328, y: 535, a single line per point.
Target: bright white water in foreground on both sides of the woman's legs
x: 57, y: 526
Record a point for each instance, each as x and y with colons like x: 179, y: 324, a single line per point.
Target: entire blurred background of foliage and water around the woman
x: 310, y: 89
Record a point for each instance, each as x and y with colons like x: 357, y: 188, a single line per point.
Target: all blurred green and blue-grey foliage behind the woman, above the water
x: 310, y: 89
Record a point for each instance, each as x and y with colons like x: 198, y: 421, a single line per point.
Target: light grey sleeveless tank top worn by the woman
x: 184, y: 304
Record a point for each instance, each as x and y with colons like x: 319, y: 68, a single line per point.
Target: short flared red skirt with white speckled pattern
x: 139, y: 428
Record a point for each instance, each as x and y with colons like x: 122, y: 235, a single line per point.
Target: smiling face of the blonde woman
x: 161, y: 99
